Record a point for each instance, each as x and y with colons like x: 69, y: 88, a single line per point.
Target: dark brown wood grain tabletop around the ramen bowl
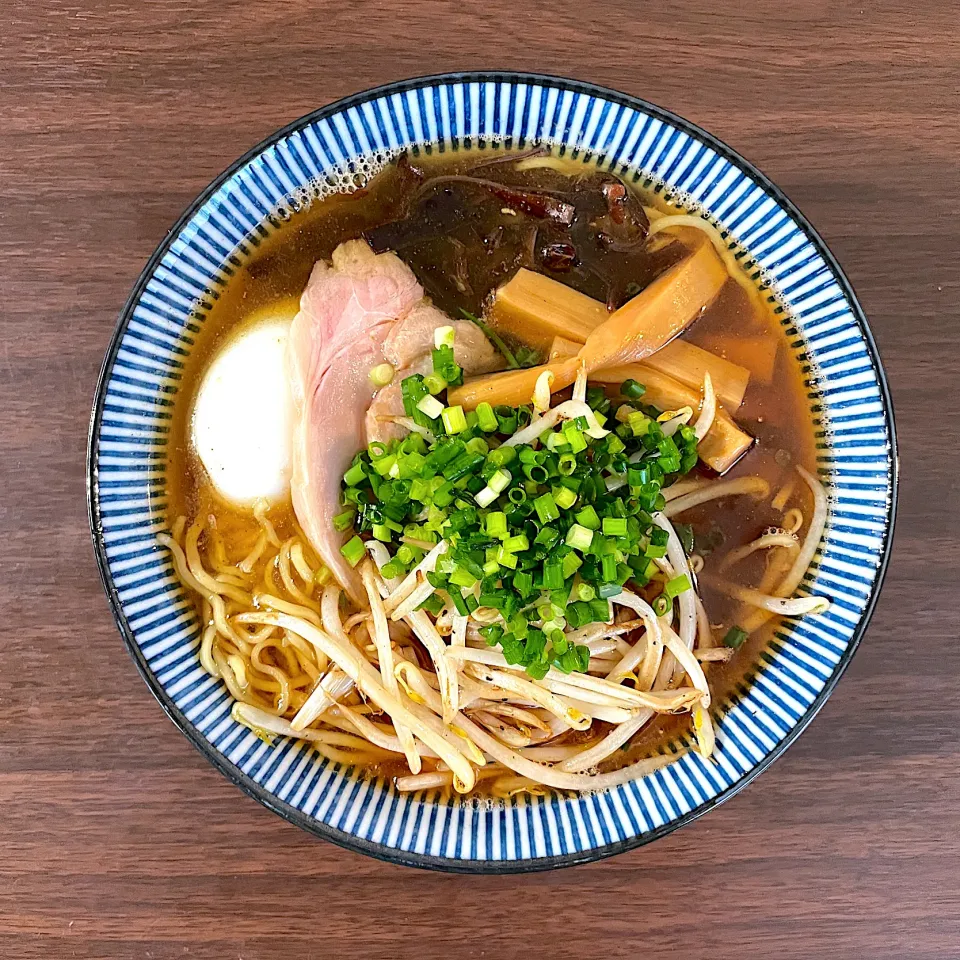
x: 117, y: 840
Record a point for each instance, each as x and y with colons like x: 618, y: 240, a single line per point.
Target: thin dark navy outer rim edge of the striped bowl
x: 344, y: 838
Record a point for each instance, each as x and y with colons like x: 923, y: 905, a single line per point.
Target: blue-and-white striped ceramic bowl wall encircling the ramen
x: 159, y: 326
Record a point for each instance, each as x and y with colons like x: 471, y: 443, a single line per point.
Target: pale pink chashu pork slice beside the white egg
x: 361, y: 310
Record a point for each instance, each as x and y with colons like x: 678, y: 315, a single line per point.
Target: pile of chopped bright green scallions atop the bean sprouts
x: 542, y: 534
